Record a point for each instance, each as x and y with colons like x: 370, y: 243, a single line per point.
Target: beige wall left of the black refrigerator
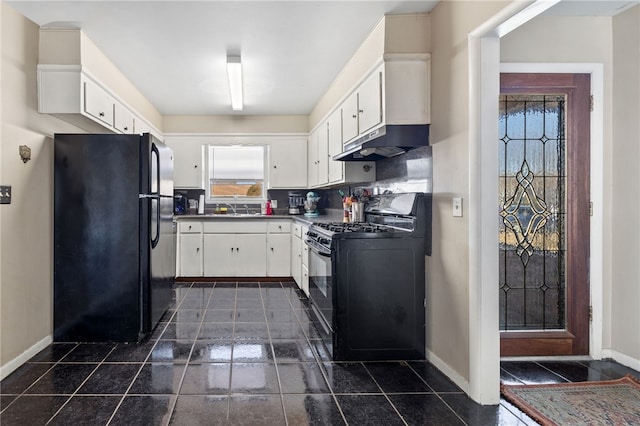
x: 26, y: 261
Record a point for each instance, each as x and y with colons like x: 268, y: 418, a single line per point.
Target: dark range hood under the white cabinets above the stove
x: 387, y: 141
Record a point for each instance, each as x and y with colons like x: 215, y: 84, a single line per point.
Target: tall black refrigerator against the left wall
x: 114, y: 240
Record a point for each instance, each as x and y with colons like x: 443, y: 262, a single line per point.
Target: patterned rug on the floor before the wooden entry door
x: 615, y: 402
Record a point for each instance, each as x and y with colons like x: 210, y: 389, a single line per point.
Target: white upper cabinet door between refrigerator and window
x: 188, y: 156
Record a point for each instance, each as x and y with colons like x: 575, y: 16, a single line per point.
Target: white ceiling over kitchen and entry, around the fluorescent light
x: 174, y: 52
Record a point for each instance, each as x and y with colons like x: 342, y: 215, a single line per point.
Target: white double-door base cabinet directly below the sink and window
x: 235, y: 255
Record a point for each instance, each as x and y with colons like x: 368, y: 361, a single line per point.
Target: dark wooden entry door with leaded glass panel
x: 544, y: 214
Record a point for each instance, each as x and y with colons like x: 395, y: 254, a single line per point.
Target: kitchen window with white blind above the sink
x: 236, y: 172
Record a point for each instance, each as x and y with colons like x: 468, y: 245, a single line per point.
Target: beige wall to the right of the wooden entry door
x: 625, y: 189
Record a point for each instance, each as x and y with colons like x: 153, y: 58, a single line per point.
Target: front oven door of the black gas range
x: 321, y: 291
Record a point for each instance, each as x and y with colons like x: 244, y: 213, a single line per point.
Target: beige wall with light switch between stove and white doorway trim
x: 448, y: 267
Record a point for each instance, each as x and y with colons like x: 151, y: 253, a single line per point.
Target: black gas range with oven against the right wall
x: 367, y: 280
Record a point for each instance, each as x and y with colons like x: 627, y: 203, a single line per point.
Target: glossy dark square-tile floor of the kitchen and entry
x: 247, y: 354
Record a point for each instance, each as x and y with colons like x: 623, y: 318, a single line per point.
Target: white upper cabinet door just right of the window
x: 288, y: 164
